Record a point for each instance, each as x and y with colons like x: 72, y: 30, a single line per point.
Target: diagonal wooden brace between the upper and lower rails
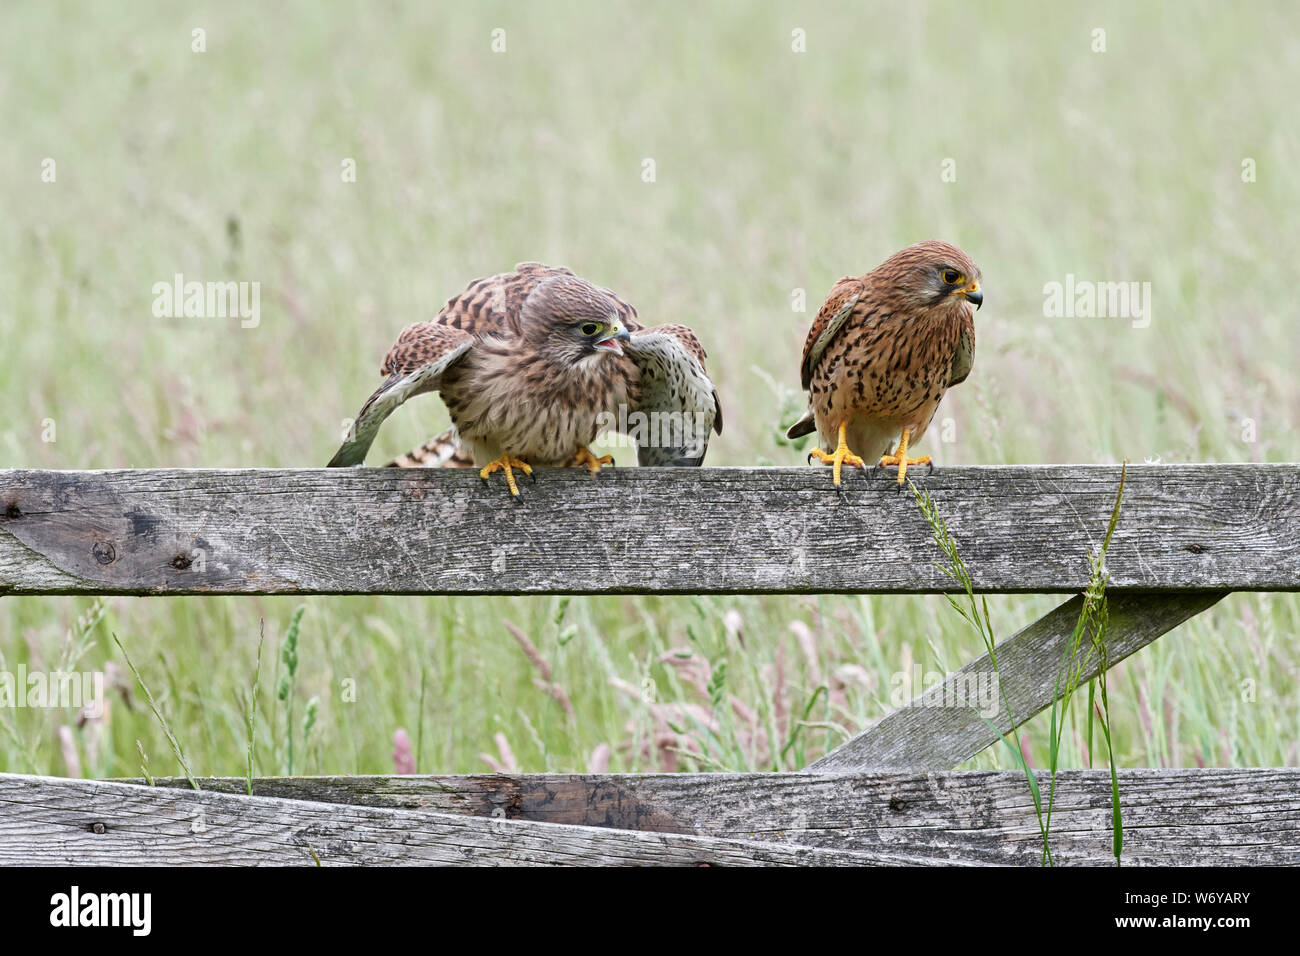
x: 950, y: 724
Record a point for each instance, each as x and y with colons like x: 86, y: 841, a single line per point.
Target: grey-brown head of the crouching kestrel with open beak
x: 571, y: 322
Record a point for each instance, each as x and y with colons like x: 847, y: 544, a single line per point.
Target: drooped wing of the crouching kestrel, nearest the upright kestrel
x: 679, y: 404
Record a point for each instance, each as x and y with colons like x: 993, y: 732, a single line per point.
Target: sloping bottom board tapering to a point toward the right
x: 54, y: 821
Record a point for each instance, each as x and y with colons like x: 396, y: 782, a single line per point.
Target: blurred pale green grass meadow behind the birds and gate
x: 775, y: 171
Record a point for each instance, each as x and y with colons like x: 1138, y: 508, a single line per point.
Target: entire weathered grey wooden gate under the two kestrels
x: 1188, y: 537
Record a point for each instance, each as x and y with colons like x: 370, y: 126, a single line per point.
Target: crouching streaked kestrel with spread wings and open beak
x: 534, y: 365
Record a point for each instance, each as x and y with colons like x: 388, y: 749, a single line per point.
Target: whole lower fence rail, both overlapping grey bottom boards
x: 1171, y: 817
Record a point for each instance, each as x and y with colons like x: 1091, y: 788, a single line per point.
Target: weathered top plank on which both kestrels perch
x: 640, y: 530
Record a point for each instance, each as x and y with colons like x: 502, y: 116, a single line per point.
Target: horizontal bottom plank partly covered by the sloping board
x: 1172, y: 817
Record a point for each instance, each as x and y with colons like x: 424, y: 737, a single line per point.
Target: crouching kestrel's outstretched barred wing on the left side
x: 414, y: 366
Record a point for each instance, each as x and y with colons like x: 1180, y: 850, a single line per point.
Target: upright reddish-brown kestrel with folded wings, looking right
x: 883, y: 352
